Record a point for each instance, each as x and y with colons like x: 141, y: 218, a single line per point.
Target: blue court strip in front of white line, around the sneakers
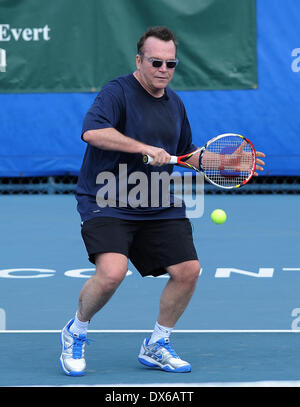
x: 31, y: 359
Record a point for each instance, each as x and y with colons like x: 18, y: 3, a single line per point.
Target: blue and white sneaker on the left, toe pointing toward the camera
x: 72, y: 357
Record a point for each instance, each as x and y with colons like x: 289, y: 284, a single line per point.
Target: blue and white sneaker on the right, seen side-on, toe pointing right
x: 162, y: 356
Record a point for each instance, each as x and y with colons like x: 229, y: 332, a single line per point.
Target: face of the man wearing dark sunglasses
x: 156, y: 79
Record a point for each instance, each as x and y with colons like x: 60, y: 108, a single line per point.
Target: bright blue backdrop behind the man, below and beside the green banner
x: 40, y: 133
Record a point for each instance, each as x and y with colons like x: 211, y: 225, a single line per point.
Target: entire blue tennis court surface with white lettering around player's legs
x: 241, y: 326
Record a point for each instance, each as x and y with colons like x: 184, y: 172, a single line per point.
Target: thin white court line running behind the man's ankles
x: 24, y: 331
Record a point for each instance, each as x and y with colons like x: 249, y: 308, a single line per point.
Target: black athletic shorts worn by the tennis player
x: 151, y: 245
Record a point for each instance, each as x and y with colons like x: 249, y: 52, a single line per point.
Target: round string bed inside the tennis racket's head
x: 228, y: 161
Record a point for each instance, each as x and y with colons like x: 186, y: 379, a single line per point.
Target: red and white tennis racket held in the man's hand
x: 227, y: 161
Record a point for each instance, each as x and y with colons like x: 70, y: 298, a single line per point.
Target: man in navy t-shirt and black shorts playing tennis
x: 134, y: 115
